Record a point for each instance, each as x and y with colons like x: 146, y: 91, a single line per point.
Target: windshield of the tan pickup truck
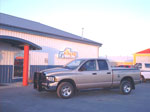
x: 74, y: 64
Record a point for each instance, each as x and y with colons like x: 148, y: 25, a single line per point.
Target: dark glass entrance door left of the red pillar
x: 18, y: 67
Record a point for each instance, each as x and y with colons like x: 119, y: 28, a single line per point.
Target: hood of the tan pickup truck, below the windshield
x: 54, y: 71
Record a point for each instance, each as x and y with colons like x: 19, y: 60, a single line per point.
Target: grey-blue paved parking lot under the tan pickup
x: 15, y: 98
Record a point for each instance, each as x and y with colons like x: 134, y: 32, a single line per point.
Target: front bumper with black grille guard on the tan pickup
x: 41, y: 84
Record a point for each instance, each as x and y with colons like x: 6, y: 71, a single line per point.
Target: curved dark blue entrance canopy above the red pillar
x: 18, y: 42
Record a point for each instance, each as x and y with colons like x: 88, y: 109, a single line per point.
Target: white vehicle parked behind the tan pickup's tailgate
x: 145, y: 70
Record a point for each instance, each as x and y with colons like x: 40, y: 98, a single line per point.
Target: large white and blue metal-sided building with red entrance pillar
x: 27, y: 46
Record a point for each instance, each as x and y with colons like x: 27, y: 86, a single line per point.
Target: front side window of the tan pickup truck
x: 88, y: 66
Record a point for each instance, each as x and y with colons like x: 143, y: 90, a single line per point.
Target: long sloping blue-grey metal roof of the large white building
x: 28, y: 26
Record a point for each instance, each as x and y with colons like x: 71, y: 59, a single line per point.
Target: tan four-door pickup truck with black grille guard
x: 86, y: 74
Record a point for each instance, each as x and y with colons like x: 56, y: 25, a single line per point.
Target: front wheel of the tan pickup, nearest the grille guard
x: 65, y: 90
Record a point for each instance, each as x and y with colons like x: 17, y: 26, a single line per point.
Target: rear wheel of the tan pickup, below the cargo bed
x: 125, y: 87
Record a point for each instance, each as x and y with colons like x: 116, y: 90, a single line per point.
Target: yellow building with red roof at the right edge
x: 142, y: 56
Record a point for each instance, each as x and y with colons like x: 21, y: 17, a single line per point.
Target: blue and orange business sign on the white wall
x: 67, y: 53
